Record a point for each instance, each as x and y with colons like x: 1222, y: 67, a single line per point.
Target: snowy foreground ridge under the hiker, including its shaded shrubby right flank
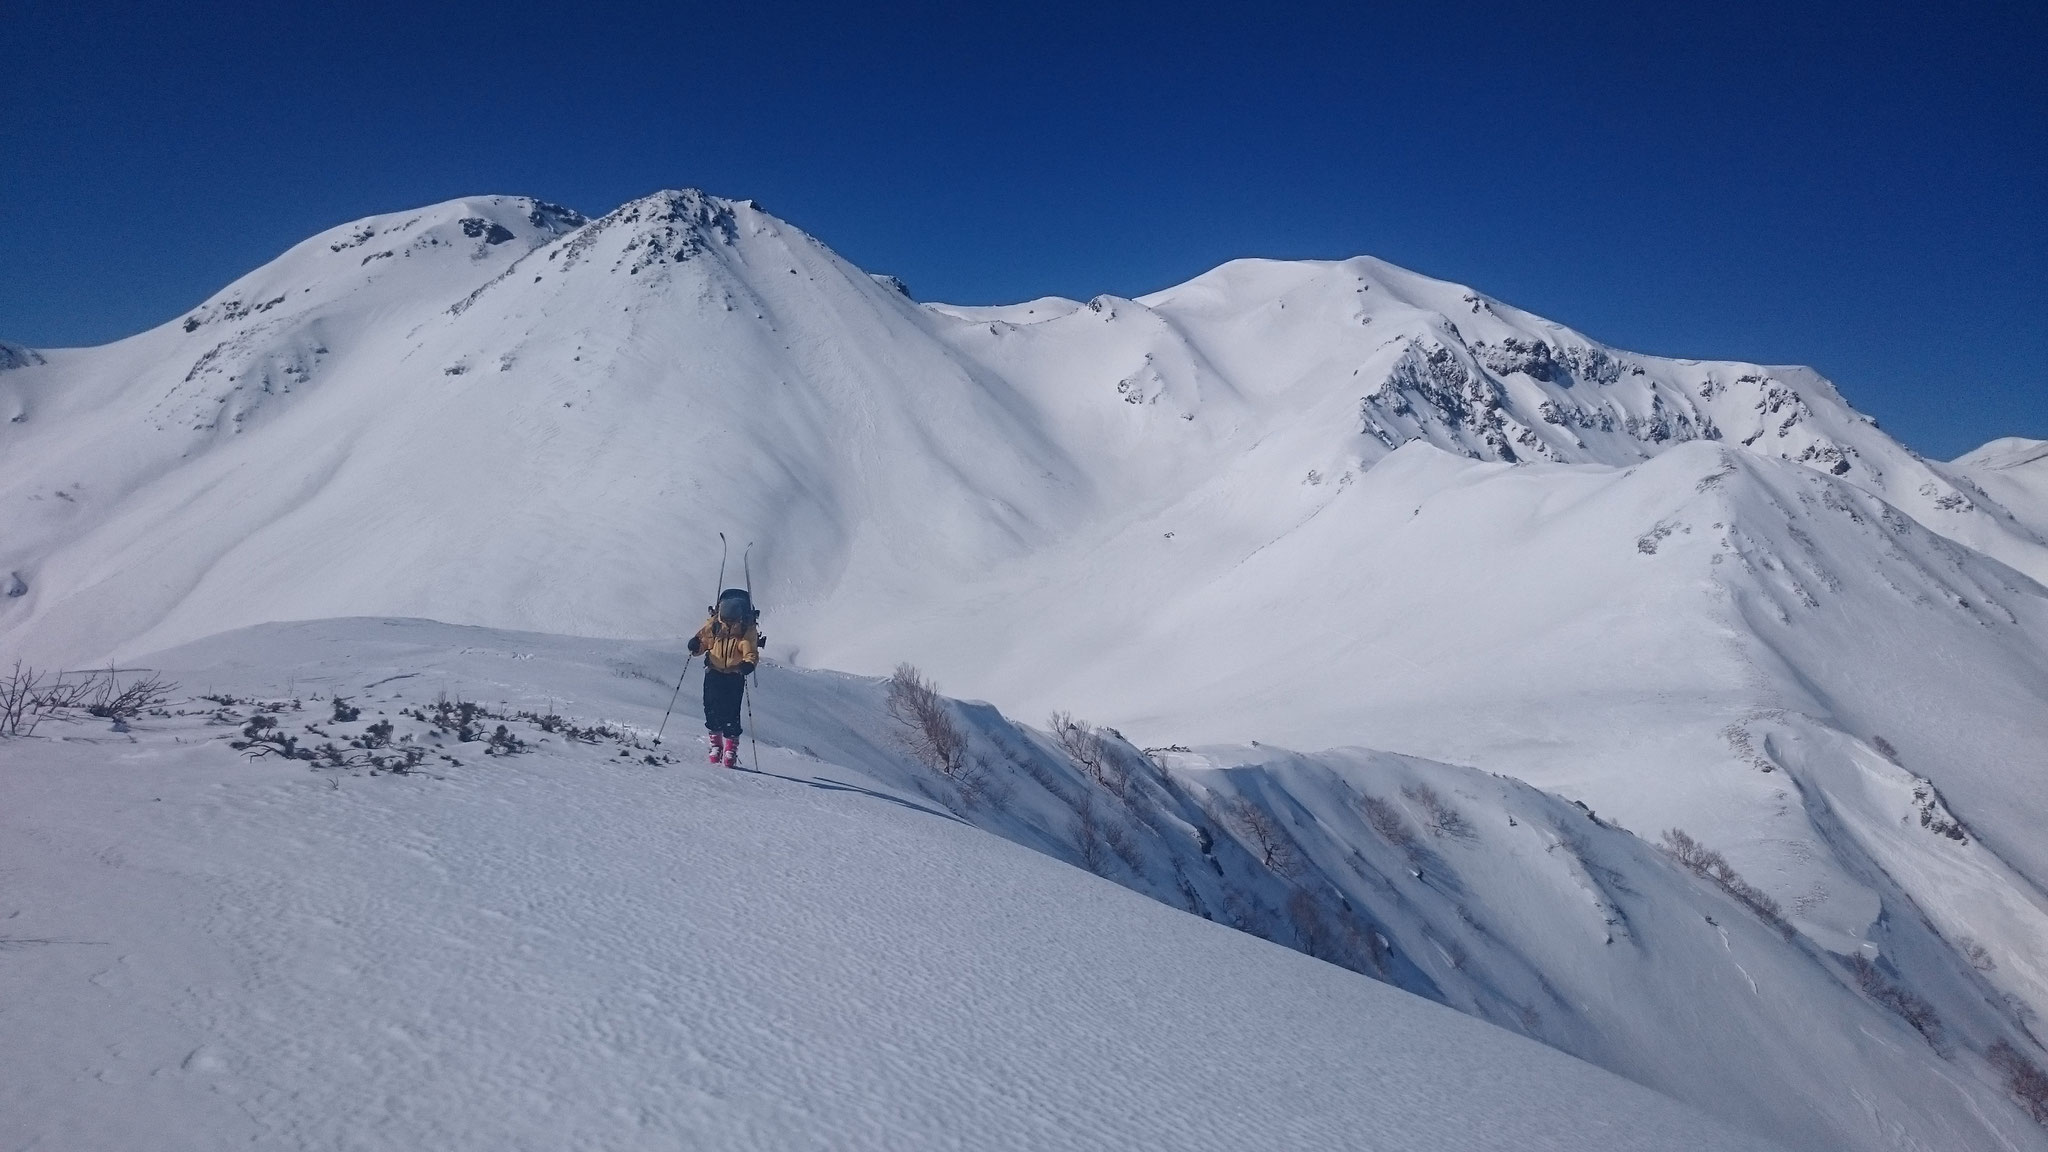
x: 523, y: 923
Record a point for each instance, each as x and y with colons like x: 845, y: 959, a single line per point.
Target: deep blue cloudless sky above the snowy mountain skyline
x: 1861, y: 188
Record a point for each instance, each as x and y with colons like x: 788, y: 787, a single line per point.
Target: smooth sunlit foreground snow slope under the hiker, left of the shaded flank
x: 570, y: 948
